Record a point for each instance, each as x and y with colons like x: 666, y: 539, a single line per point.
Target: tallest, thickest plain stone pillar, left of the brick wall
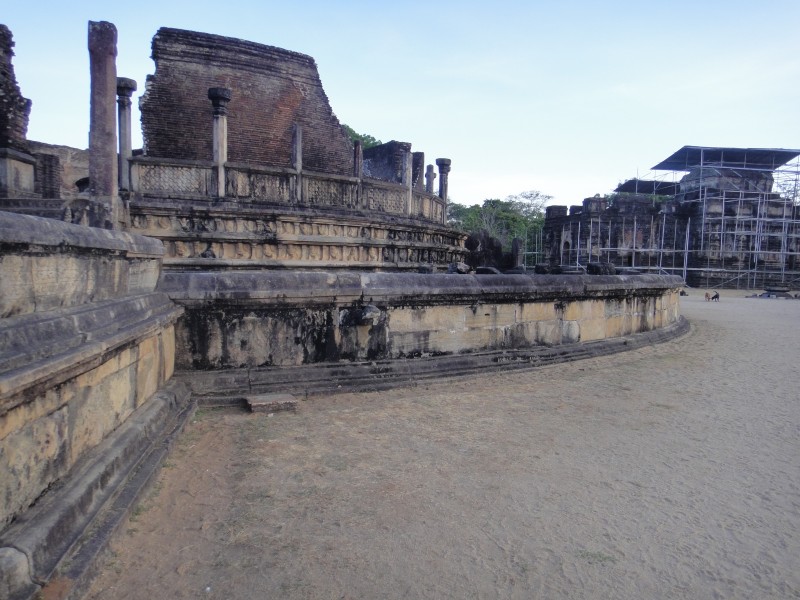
x: 106, y: 210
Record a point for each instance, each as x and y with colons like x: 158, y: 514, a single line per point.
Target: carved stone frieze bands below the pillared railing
x: 231, y: 236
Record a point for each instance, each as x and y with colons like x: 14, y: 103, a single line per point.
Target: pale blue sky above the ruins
x: 569, y: 98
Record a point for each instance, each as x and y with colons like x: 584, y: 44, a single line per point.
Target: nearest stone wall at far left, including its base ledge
x: 86, y: 344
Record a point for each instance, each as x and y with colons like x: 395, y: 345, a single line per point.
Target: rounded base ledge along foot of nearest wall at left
x: 115, y: 475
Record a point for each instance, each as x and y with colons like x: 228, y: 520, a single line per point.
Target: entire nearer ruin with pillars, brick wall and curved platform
x: 248, y: 249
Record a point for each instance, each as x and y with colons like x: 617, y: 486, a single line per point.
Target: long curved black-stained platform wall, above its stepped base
x: 246, y: 320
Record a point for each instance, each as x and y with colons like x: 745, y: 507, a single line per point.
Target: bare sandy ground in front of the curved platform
x: 667, y: 472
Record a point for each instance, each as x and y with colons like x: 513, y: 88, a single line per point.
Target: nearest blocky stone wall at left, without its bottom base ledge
x: 84, y: 342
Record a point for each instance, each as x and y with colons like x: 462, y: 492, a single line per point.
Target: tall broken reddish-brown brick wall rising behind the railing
x: 271, y: 88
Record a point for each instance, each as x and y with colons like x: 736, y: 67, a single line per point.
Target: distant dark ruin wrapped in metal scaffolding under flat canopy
x: 730, y: 217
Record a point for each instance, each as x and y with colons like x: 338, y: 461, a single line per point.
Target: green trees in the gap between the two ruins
x: 520, y: 215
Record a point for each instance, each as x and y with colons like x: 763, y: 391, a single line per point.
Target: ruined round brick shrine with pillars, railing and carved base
x: 245, y: 165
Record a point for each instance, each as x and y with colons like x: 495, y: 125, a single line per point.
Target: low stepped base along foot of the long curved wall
x: 231, y: 386
